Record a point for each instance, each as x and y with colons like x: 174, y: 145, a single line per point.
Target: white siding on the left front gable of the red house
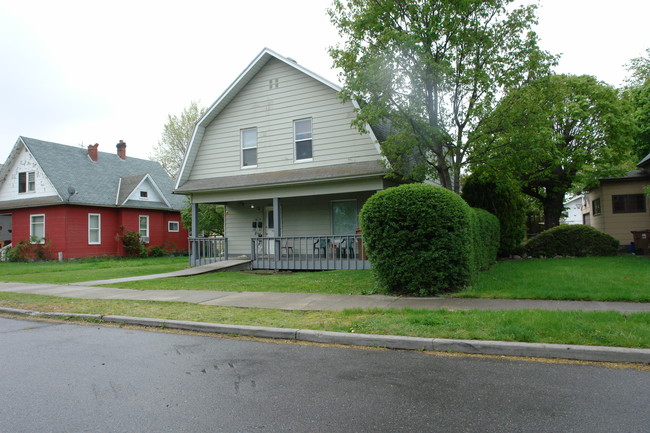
x: 25, y: 162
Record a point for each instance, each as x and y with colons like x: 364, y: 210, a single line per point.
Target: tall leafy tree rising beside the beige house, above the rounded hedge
x: 429, y: 70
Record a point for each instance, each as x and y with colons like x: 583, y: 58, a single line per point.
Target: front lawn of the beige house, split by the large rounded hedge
x: 621, y: 278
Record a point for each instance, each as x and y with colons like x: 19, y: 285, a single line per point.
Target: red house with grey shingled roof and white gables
x: 79, y: 201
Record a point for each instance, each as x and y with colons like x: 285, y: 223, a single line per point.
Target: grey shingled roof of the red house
x: 70, y: 169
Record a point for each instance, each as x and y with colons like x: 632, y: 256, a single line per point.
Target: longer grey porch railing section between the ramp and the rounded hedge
x: 326, y: 252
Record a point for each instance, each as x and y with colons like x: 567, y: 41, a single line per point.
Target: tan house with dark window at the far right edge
x: 619, y: 205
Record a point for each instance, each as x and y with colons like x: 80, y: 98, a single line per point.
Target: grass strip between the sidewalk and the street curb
x: 576, y: 327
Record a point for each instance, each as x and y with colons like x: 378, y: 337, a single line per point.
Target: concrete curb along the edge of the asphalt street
x: 479, y: 347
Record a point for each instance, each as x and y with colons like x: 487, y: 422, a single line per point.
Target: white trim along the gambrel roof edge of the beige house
x: 231, y: 92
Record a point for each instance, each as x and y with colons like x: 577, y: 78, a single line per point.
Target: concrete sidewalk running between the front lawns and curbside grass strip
x: 306, y: 301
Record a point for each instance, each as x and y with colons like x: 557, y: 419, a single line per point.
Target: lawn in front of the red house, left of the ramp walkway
x: 88, y: 269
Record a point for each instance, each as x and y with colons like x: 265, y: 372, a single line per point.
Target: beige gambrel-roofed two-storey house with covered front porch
x: 277, y: 150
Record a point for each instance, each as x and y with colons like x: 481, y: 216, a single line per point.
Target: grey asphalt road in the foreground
x: 58, y: 377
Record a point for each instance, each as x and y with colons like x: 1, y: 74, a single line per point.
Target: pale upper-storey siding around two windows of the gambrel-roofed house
x: 272, y: 111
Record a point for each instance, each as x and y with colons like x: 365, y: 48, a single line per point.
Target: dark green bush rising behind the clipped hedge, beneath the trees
x: 503, y: 200
